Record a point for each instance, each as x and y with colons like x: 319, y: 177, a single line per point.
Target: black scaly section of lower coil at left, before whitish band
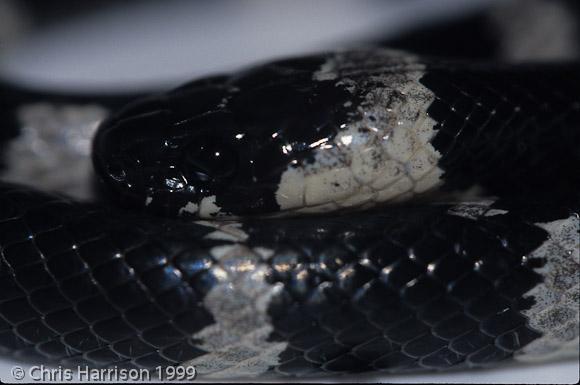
x: 74, y: 288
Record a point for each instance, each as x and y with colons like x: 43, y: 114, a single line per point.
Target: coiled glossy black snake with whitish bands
x: 351, y: 211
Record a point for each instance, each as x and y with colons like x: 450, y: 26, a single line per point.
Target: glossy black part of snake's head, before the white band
x: 212, y: 147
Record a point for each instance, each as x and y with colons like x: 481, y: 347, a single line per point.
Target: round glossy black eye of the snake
x: 209, y: 160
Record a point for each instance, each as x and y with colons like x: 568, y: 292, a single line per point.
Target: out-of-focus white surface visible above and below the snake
x: 144, y: 45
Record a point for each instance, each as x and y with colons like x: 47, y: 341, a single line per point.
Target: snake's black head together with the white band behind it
x: 283, y: 137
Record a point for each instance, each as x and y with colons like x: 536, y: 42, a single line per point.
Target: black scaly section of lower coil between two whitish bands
x: 428, y: 291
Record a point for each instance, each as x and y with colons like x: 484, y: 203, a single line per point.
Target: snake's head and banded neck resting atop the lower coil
x: 345, y: 130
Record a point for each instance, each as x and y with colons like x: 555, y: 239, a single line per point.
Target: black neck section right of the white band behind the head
x: 512, y: 130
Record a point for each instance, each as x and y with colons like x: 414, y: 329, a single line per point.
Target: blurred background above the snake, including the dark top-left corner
x: 134, y: 45
